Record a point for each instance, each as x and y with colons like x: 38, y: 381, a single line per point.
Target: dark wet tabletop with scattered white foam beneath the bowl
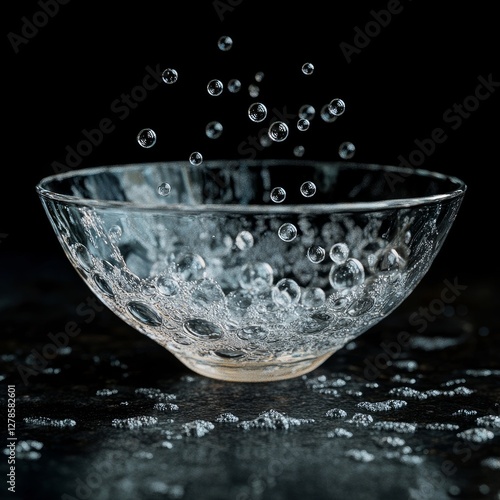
x: 75, y: 438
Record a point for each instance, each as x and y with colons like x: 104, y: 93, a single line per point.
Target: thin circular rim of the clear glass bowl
x: 363, y: 206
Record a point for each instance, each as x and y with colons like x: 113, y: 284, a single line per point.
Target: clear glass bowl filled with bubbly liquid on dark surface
x: 240, y: 287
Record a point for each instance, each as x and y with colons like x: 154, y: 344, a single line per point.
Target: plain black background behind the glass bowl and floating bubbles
x: 64, y: 76
